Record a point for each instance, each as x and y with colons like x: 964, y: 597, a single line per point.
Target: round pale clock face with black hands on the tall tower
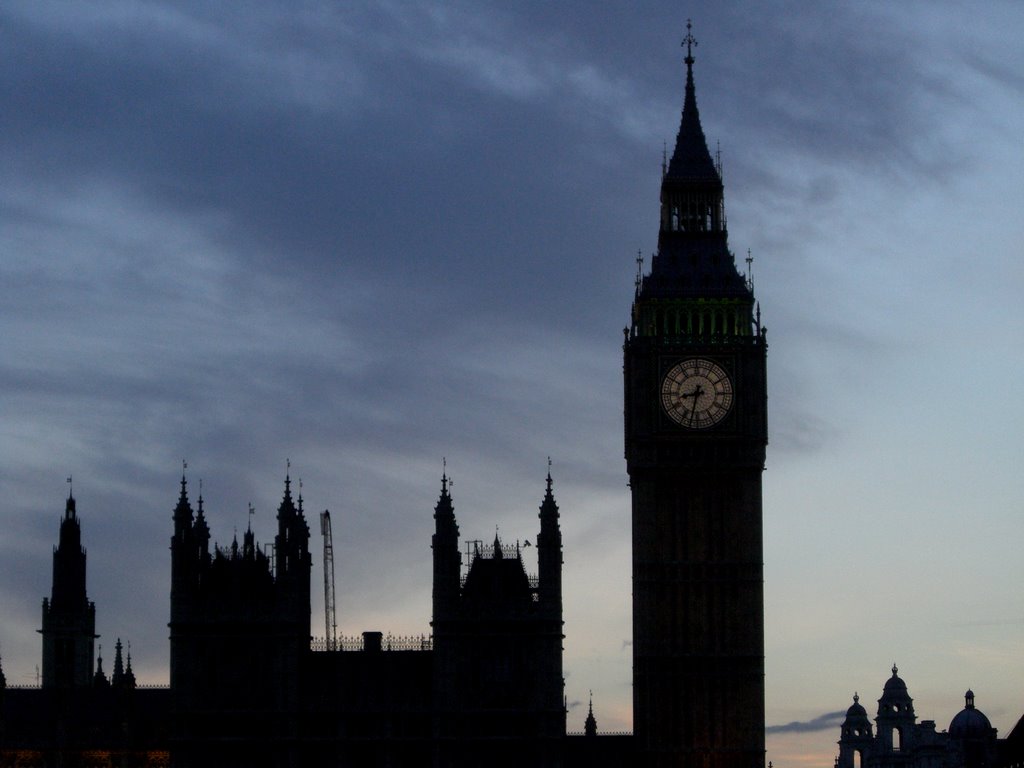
x: 697, y: 394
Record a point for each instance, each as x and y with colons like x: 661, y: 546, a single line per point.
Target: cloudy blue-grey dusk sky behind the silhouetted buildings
x: 364, y: 240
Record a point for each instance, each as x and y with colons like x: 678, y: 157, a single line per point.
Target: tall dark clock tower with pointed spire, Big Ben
x: 696, y: 437
